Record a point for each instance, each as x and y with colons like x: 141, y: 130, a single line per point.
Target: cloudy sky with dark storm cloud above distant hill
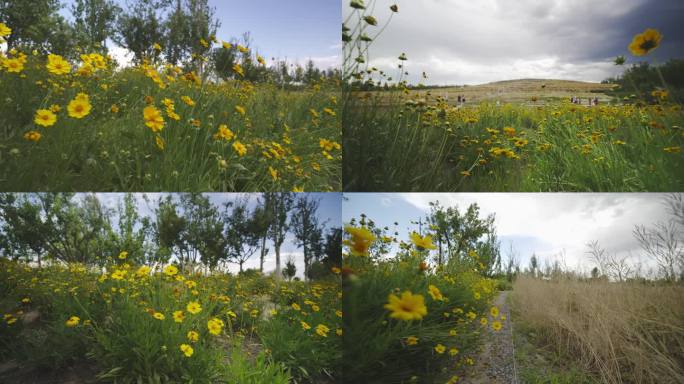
x: 473, y: 42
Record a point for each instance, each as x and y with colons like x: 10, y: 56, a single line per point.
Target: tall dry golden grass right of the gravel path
x: 624, y: 332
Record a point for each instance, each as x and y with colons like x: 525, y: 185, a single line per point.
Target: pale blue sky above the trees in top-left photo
x: 296, y: 29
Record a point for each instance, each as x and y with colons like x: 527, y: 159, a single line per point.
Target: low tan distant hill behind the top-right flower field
x: 529, y: 91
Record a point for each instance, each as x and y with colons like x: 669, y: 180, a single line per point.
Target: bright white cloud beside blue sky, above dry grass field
x: 559, y: 223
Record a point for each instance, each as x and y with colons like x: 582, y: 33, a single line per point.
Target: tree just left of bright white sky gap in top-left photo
x: 94, y: 22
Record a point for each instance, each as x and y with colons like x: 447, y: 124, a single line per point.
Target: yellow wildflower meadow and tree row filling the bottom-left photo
x: 161, y: 305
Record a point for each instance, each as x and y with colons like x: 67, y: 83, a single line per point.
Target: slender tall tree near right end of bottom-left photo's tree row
x: 305, y: 227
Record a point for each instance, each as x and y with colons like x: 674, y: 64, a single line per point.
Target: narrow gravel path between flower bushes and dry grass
x: 495, y: 363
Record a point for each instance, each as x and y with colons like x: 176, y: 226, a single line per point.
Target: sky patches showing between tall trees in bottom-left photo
x: 329, y: 212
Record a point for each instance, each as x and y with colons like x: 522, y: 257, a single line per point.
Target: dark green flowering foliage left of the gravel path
x: 375, y: 345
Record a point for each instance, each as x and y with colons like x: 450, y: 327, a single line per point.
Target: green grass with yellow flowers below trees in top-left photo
x: 290, y: 137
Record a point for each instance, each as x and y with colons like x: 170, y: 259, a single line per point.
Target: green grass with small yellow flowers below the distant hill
x: 426, y: 144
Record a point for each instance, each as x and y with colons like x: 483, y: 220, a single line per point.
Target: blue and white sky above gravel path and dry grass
x: 547, y: 224
